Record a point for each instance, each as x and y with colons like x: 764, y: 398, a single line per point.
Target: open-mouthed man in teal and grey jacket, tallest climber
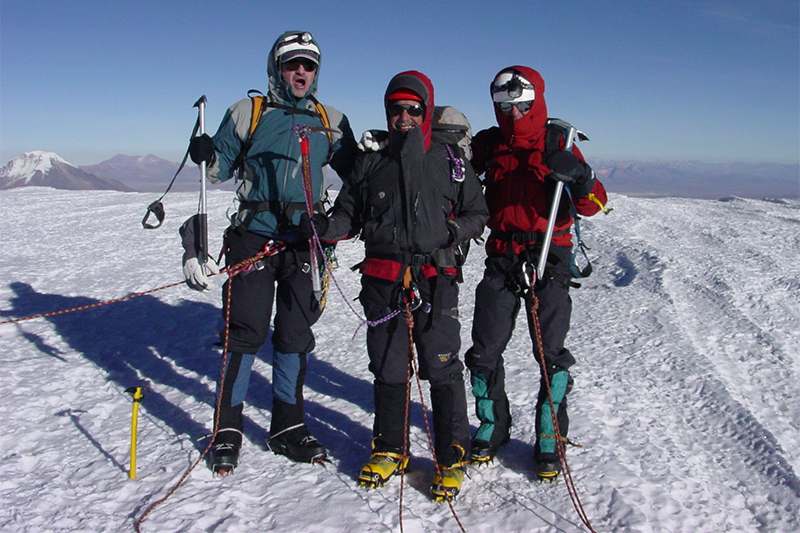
x: 272, y: 210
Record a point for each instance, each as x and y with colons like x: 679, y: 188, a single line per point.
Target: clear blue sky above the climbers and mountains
x: 648, y: 80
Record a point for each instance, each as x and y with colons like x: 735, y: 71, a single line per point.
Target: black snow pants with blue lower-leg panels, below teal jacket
x: 281, y: 280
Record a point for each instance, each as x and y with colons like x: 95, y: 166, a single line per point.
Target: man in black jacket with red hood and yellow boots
x: 413, y: 203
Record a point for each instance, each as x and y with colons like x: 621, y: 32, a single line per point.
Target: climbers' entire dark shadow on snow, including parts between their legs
x: 170, y: 350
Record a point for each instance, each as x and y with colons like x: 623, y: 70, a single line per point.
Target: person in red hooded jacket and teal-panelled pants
x: 521, y: 173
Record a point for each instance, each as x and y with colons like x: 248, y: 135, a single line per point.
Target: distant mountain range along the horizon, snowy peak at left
x: 690, y: 179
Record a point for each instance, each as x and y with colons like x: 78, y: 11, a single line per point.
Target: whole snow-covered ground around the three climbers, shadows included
x: 686, y: 395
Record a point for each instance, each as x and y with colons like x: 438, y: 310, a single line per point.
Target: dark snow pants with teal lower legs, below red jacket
x: 497, y: 305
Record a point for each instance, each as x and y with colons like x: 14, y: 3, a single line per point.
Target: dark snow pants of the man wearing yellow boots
x: 437, y: 339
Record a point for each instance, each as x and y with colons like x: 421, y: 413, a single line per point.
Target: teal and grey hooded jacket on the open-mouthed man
x: 272, y: 171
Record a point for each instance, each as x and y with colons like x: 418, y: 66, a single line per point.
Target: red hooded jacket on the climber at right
x: 517, y: 193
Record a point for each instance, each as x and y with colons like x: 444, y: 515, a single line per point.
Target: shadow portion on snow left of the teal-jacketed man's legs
x: 137, y: 342
